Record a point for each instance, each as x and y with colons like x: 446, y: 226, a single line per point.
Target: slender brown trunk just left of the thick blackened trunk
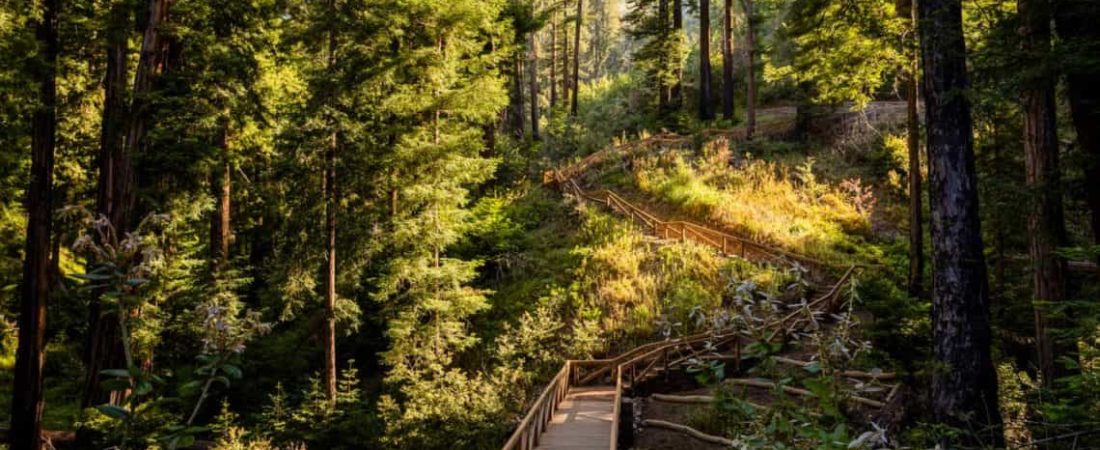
x: 908, y: 9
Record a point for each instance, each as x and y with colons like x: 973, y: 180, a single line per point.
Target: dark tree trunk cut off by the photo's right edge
x: 1076, y: 23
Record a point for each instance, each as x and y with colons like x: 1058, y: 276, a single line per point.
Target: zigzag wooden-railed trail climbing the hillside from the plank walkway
x: 580, y: 408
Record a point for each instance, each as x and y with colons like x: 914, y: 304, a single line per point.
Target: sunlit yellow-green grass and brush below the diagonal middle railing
x: 642, y: 288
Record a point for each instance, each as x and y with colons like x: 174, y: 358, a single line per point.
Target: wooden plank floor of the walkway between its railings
x: 584, y: 421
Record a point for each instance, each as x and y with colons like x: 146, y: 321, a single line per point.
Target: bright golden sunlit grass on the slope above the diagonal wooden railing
x: 765, y: 201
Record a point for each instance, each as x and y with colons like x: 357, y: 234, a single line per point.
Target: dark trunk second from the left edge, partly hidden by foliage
x: 103, y: 347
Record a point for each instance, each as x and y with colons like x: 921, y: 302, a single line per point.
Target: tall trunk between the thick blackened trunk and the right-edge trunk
x: 1047, y: 229
